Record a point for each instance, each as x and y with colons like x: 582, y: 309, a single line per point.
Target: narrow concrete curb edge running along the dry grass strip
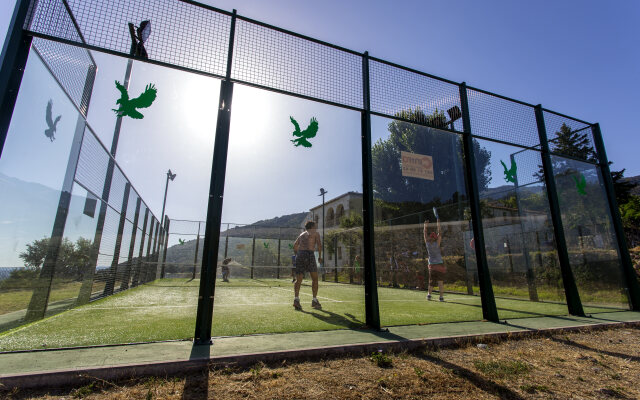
x: 82, y: 376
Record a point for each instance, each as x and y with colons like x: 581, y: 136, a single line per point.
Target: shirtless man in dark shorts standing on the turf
x: 303, y: 248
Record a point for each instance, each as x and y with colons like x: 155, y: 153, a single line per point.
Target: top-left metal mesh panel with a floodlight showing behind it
x: 182, y: 34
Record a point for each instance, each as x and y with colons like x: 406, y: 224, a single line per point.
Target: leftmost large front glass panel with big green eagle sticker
x: 174, y: 132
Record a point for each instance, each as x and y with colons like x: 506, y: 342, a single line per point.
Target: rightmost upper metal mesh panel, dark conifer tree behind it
x: 569, y: 137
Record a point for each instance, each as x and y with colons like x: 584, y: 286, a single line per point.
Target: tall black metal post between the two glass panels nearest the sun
x: 206, y: 294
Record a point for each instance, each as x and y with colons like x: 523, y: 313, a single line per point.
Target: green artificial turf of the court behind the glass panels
x: 166, y: 309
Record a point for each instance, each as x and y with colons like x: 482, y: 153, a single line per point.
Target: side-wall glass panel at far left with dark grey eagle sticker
x: 32, y: 169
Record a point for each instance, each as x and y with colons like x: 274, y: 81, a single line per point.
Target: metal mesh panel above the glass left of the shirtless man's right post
x: 278, y: 60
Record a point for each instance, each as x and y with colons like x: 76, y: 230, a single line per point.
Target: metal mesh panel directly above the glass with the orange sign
x: 395, y: 90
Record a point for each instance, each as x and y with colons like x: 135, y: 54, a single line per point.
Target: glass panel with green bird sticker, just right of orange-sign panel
x: 518, y: 231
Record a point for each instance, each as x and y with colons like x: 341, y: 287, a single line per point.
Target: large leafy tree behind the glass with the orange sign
x: 392, y: 189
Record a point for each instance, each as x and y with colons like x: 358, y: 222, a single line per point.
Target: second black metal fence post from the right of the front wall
x: 570, y: 289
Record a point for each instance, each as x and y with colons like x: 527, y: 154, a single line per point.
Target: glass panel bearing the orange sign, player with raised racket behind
x: 420, y: 200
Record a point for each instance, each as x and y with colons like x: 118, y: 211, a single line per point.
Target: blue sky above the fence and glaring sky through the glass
x: 579, y: 58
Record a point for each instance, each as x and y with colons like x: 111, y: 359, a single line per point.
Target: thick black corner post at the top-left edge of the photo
x: 12, y: 64
